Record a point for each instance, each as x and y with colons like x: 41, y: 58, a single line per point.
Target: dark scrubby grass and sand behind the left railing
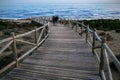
x: 19, y: 27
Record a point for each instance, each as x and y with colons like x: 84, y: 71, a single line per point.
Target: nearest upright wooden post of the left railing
x: 15, y: 49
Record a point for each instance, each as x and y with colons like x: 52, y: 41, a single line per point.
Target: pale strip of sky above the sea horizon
x: 60, y: 1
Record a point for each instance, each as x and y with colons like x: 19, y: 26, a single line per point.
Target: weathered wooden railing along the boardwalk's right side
x: 91, y: 37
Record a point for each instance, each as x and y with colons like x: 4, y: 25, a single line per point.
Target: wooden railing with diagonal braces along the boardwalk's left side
x: 12, y: 41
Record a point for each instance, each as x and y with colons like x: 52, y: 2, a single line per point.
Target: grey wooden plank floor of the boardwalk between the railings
x: 63, y: 56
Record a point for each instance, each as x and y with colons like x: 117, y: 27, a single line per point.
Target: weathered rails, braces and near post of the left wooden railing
x: 14, y: 48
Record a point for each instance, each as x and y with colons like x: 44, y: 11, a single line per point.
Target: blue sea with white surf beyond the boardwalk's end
x: 79, y: 11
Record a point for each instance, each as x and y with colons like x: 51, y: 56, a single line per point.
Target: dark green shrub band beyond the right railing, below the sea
x: 103, y: 24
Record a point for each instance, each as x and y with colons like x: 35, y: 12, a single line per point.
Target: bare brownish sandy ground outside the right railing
x: 114, y: 45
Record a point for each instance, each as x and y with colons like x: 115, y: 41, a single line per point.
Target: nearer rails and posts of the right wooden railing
x: 104, y: 58
